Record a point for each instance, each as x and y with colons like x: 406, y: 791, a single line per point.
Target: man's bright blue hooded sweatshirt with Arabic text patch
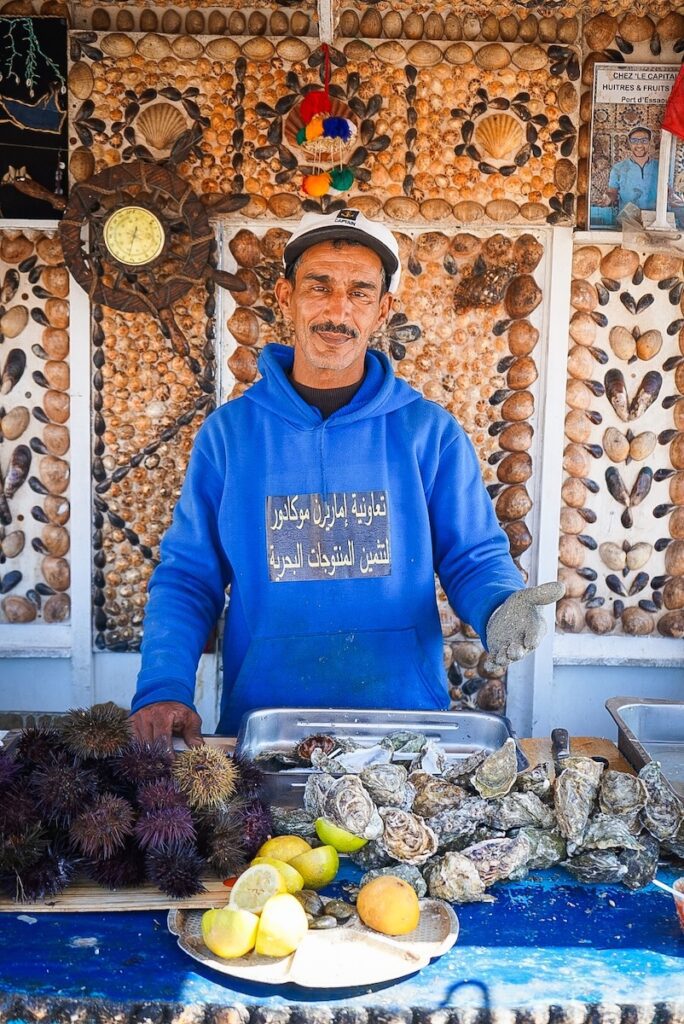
x: 329, y: 534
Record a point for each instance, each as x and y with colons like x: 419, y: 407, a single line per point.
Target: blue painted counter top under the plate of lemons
x: 547, y: 943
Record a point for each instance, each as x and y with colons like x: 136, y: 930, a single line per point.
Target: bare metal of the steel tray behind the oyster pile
x: 459, y: 733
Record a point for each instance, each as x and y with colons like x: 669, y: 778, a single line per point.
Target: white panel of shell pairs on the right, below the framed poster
x: 622, y: 545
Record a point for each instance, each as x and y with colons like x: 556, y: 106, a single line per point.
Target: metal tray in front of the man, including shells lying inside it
x: 277, y: 739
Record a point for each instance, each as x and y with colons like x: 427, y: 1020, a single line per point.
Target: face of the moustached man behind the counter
x: 335, y: 306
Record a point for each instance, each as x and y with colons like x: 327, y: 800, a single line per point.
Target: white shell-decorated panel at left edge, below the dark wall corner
x: 35, y: 441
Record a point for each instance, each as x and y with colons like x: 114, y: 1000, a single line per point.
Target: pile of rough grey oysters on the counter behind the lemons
x: 454, y: 831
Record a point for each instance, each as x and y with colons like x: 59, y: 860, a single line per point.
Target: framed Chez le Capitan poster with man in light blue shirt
x: 627, y: 116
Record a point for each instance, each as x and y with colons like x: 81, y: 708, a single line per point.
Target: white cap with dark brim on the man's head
x: 353, y: 227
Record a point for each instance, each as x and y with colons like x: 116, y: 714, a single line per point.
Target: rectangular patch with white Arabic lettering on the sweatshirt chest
x: 343, y: 536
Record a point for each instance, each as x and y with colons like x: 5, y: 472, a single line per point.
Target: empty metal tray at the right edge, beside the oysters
x: 651, y: 730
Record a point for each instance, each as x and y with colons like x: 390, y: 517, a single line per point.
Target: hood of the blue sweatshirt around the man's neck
x: 380, y: 393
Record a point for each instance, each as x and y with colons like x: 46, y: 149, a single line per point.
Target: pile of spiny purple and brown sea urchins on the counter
x: 88, y: 799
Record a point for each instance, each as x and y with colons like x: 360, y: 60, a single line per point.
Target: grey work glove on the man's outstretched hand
x: 517, y: 627
